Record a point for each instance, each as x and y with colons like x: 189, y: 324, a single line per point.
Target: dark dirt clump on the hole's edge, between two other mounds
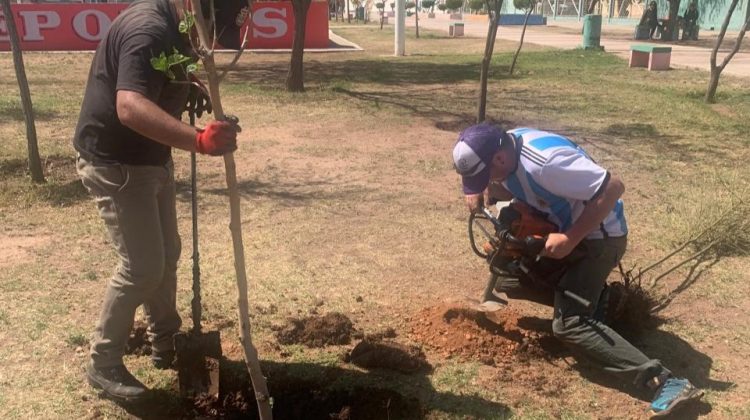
x: 388, y: 354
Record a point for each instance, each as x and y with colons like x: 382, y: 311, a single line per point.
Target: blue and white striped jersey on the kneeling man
x: 557, y: 177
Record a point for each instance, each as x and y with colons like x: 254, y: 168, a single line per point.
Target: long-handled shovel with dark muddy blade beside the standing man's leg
x: 197, y: 352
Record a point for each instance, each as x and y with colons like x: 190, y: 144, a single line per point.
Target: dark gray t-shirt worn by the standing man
x: 123, y: 62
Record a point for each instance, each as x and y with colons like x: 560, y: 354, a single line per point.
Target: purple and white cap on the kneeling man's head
x: 473, y: 153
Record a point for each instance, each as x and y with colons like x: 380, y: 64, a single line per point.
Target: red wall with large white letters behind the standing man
x: 72, y: 27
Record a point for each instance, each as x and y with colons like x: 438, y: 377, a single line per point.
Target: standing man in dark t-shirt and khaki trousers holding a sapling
x: 128, y: 125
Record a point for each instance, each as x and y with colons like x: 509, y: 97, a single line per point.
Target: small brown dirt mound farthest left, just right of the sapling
x: 317, y: 331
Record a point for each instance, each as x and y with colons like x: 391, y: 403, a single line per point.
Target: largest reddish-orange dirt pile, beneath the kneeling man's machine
x: 453, y: 331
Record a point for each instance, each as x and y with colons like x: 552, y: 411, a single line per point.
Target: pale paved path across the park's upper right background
x: 615, y: 39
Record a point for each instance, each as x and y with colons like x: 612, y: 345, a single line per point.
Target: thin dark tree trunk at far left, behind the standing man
x: 35, y: 163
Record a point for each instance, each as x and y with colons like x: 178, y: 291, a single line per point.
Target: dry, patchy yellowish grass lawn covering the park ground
x: 348, y: 192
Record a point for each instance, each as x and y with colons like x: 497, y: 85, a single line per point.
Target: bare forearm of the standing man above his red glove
x: 143, y: 116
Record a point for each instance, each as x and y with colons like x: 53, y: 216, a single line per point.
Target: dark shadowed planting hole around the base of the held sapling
x: 302, y: 390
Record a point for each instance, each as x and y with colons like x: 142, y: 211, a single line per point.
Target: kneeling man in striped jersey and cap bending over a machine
x: 555, y: 176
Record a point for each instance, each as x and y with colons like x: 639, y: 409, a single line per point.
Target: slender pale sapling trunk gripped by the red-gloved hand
x: 252, y: 363
